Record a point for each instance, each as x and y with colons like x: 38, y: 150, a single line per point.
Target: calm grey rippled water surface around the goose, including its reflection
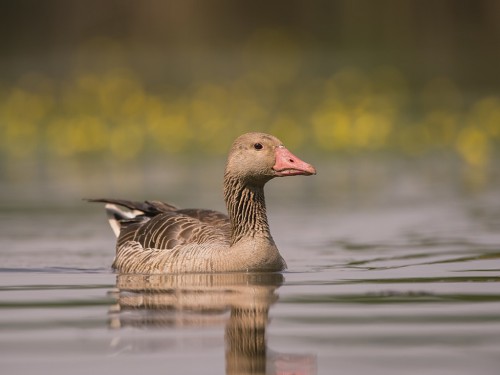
x: 391, y: 272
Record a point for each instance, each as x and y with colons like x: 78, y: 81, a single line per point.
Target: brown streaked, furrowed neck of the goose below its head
x: 246, y: 208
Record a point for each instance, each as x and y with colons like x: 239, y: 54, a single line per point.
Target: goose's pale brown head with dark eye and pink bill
x: 255, y: 158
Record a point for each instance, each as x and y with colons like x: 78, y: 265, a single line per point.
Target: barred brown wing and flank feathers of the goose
x: 174, y: 242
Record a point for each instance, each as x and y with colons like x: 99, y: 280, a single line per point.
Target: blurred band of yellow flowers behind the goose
x: 112, y: 113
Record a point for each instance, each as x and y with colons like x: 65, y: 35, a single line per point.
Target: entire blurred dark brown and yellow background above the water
x: 89, y: 86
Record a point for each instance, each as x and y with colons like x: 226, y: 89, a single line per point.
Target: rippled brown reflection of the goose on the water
x: 238, y: 301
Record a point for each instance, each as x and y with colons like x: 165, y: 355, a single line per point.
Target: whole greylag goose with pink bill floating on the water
x: 156, y: 237
